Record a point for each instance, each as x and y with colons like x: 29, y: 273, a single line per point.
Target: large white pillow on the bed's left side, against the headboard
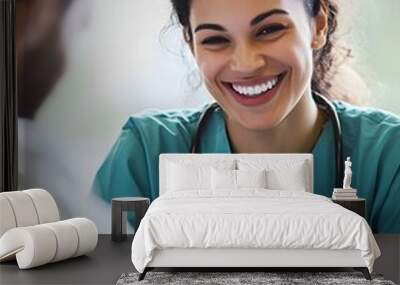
x: 189, y: 175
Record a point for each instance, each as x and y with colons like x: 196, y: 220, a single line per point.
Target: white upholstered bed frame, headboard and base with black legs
x: 236, y: 259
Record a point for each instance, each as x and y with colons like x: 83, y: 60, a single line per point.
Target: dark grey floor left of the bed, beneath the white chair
x: 102, y: 266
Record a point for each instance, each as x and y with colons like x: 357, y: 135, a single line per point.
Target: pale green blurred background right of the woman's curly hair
x: 372, y: 28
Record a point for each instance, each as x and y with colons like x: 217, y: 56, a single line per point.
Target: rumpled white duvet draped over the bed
x: 253, y: 218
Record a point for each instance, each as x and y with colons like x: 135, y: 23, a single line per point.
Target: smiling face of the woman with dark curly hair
x: 255, y: 56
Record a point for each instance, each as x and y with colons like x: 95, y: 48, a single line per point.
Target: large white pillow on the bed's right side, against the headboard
x: 293, y: 175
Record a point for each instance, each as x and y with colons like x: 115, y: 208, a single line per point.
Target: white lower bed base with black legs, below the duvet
x: 256, y: 260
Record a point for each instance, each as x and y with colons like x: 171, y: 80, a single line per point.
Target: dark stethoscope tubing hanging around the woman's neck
x: 321, y: 101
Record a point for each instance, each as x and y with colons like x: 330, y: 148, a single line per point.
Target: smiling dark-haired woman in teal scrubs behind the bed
x: 265, y: 63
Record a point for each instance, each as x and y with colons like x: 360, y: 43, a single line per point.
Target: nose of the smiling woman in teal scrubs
x: 246, y: 59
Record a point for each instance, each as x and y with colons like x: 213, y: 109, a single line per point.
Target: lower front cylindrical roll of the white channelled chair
x: 40, y: 244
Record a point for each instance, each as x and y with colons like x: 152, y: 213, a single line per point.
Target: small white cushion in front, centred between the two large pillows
x: 227, y: 179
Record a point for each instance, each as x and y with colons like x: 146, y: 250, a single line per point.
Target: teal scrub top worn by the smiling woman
x: 370, y: 137
